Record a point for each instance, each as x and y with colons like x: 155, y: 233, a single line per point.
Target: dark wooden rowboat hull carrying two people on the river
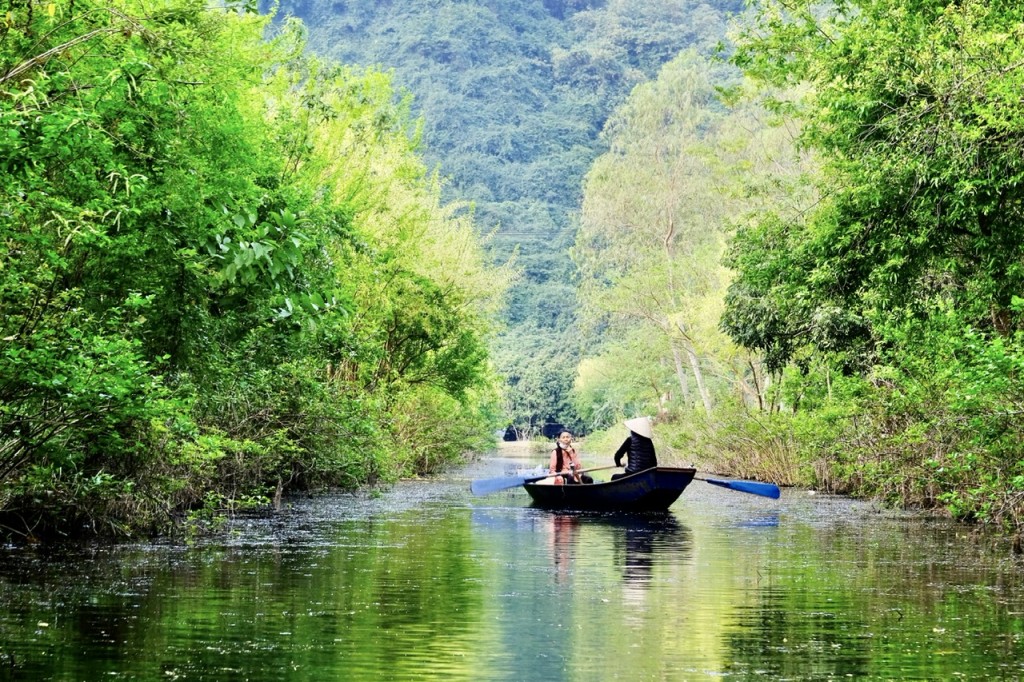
x: 651, y: 490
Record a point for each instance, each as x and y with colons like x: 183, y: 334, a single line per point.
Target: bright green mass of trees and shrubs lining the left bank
x: 227, y: 273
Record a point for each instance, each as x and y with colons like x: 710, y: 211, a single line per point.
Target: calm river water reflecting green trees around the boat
x: 428, y: 582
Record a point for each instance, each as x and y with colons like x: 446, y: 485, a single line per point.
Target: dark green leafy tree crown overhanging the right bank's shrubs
x: 922, y: 191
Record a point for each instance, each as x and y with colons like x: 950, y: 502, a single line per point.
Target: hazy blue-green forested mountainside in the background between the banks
x: 515, y: 96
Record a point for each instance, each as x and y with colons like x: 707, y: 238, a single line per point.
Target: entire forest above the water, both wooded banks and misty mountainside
x: 271, y: 247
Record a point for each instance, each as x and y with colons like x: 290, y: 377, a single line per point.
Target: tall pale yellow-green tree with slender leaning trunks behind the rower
x: 644, y: 228
